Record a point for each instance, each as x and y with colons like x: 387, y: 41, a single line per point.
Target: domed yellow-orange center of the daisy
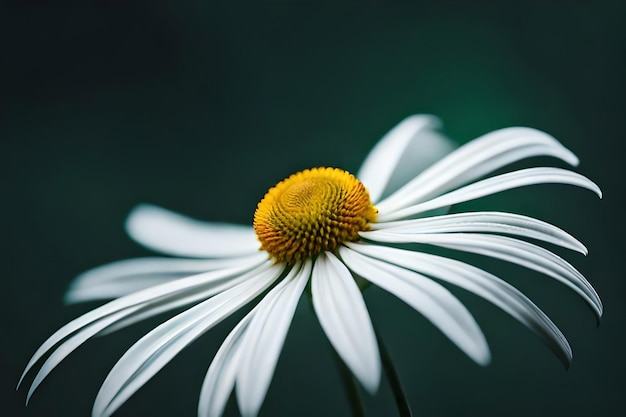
x: 312, y: 211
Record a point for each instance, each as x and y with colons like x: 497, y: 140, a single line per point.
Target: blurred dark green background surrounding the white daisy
x: 200, y: 106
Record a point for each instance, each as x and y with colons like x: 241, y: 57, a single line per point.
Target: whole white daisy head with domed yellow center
x: 332, y: 231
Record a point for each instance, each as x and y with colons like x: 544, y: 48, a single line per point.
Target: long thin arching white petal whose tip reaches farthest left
x: 153, y: 295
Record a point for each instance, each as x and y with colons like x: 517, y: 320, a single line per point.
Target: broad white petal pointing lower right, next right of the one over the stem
x: 426, y: 296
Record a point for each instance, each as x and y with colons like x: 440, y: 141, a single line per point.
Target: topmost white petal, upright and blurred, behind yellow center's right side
x: 409, y: 148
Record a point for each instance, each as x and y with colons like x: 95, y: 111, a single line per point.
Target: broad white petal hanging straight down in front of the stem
x: 341, y: 311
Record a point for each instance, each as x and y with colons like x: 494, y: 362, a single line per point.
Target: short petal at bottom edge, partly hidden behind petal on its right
x: 220, y: 378
